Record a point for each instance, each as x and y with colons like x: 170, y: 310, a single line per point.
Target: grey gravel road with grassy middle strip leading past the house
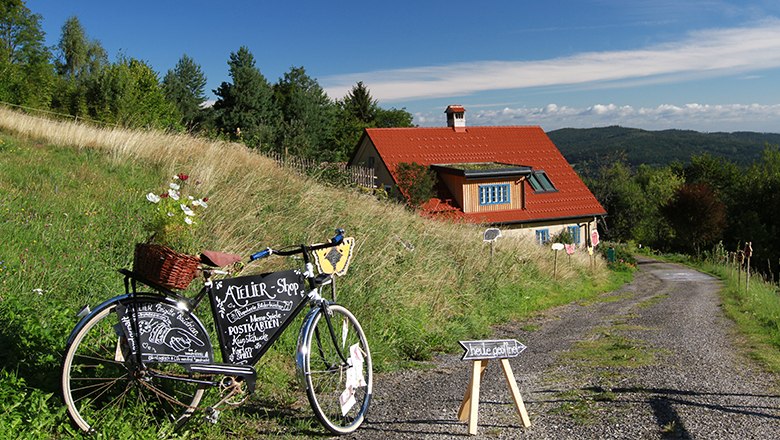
x: 665, y: 366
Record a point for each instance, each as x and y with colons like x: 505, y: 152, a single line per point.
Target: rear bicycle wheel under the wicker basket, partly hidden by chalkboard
x: 103, y: 394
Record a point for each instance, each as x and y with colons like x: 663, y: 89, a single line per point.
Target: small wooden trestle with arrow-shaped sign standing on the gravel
x: 481, y: 352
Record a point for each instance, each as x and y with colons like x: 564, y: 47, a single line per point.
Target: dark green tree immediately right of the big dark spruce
x: 308, y: 116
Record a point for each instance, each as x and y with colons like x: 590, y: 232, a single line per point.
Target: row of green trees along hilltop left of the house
x: 76, y: 79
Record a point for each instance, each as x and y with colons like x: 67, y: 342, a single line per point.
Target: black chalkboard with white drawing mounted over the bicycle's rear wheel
x: 164, y: 332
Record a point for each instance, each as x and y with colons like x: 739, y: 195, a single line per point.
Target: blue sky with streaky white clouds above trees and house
x: 707, y: 65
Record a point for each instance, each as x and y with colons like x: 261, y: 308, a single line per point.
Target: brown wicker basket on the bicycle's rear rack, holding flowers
x: 164, y: 266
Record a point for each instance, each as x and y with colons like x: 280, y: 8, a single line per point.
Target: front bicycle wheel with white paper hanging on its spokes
x: 337, y: 369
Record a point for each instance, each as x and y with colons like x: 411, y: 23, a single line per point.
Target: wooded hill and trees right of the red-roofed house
x: 683, y: 191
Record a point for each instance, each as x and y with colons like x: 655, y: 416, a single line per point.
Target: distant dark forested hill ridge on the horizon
x: 587, y: 148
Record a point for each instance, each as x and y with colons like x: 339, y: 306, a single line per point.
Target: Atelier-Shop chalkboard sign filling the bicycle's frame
x: 252, y: 311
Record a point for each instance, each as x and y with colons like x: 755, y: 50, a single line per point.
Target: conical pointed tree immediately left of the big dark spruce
x: 184, y: 86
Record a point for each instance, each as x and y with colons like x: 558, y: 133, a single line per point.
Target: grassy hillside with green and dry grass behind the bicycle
x: 70, y: 202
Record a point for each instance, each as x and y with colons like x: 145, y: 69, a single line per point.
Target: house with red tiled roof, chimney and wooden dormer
x: 510, y: 177
